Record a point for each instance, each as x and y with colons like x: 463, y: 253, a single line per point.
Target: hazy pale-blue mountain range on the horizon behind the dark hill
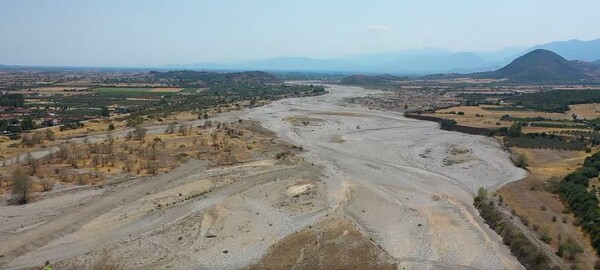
x: 412, y: 62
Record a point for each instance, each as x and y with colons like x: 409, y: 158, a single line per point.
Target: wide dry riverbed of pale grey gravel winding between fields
x: 404, y: 184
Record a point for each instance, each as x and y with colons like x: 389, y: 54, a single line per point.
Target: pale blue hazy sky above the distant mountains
x: 151, y: 33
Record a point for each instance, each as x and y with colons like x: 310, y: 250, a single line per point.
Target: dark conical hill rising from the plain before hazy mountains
x: 538, y: 66
